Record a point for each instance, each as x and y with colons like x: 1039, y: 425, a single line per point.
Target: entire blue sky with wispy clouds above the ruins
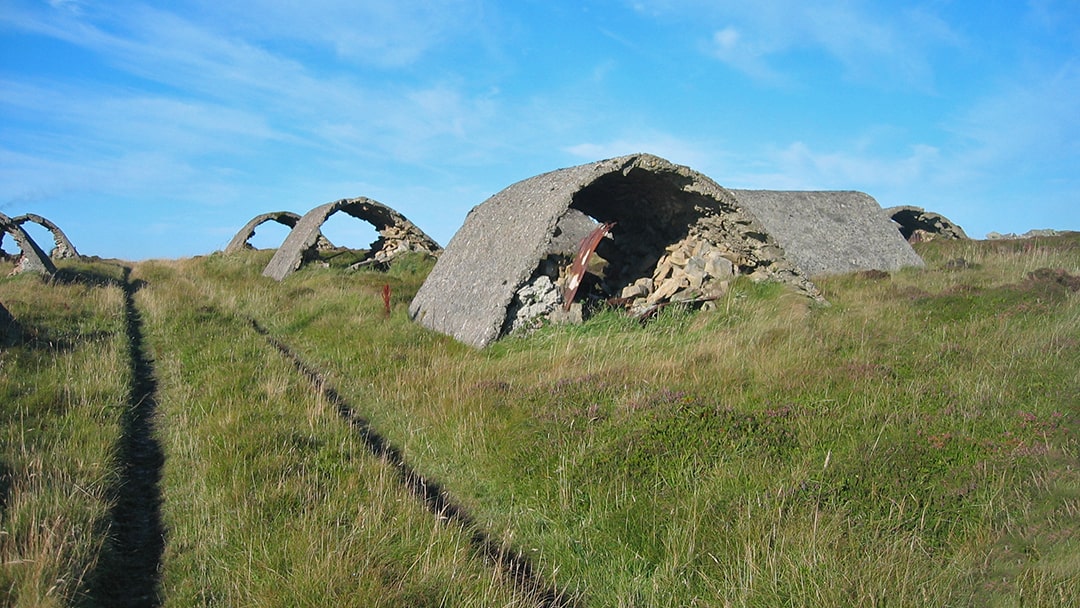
x: 159, y: 129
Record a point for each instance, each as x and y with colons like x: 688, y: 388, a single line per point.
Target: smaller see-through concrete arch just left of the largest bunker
x: 397, y: 235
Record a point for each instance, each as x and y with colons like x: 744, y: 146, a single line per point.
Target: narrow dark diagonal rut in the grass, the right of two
x: 437, y: 499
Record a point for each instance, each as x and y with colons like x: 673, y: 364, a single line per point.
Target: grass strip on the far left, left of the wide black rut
x: 63, y: 390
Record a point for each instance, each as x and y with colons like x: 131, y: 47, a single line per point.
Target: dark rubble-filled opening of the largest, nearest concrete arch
x: 657, y: 250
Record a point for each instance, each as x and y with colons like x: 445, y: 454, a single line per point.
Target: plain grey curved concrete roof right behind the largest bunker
x: 831, y: 233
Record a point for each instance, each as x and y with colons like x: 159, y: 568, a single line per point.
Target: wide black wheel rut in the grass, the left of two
x: 128, y: 571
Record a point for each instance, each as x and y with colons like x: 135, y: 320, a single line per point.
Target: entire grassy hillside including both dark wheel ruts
x: 188, y: 433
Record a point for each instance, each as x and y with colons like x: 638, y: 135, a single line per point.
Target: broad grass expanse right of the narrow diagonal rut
x: 877, y: 451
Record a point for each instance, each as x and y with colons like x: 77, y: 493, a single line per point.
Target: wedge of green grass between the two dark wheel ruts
x: 269, y: 497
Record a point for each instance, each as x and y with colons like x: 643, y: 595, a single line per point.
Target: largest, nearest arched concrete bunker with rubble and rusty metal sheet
x: 673, y: 235
